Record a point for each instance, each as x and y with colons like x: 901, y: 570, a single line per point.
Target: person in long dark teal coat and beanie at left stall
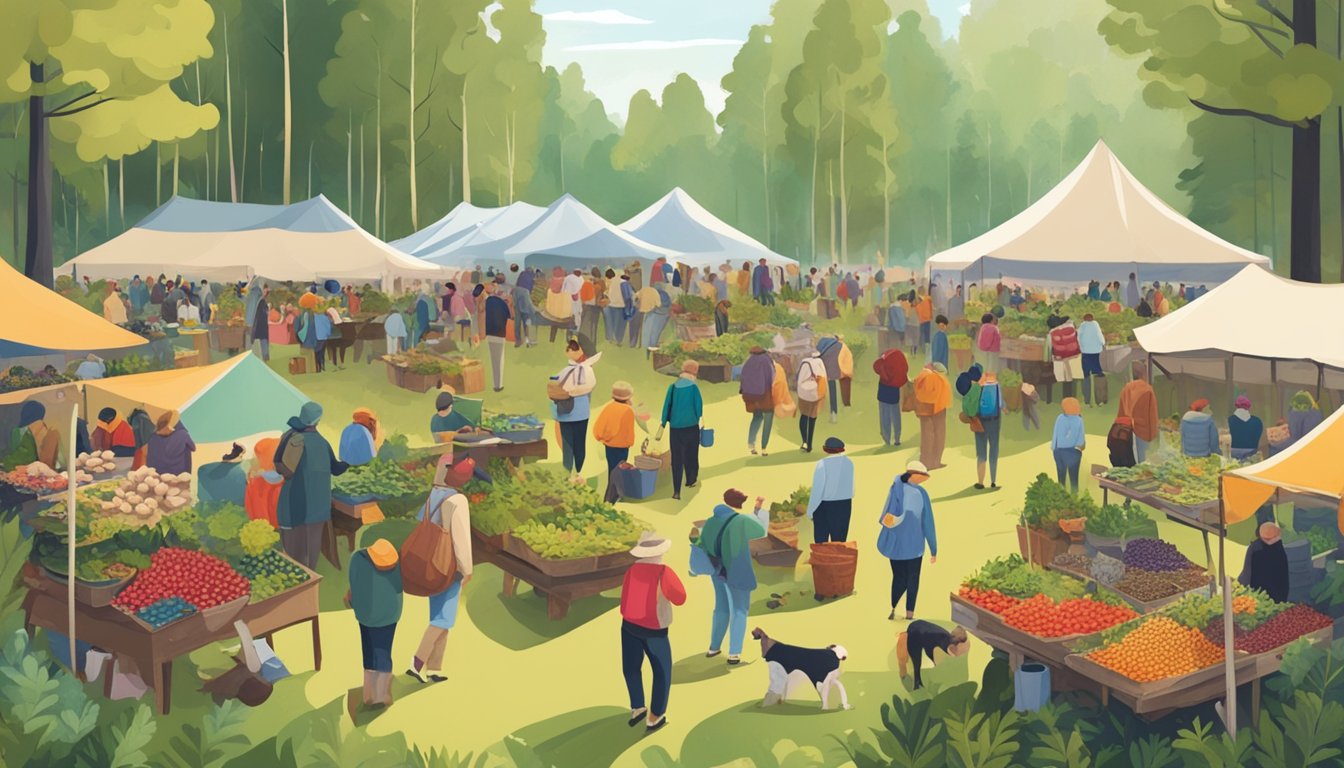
x: 308, y: 463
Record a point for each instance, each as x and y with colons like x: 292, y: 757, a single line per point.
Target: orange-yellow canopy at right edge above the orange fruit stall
x: 1310, y: 466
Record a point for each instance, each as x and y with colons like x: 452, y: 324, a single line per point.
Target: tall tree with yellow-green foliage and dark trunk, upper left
x: 80, y: 68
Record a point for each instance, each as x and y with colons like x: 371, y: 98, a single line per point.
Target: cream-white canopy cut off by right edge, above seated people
x: 1216, y: 338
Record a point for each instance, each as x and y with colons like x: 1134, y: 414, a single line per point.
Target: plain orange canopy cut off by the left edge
x: 36, y: 317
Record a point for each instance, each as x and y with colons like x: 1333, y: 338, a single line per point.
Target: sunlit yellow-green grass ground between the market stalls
x: 557, y: 685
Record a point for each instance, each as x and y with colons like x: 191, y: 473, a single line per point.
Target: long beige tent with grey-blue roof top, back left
x: 310, y: 240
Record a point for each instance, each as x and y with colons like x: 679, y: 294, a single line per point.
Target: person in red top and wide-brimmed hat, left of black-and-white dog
x: 648, y: 595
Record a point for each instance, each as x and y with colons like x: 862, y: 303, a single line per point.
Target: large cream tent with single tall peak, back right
x: 1101, y: 224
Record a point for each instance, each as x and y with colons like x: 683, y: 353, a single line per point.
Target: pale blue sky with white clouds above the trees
x: 626, y: 46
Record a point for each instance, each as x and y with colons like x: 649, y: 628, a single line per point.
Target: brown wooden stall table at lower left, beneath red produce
x: 154, y: 652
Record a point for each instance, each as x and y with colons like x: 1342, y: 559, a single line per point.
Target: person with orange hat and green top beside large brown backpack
x: 376, y: 597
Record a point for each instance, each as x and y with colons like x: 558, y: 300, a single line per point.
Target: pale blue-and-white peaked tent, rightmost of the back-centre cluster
x: 700, y: 239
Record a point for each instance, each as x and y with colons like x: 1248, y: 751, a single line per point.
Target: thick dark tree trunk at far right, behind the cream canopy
x: 1306, y: 229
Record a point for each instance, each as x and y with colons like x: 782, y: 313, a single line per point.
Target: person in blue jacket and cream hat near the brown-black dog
x: 907, y: 528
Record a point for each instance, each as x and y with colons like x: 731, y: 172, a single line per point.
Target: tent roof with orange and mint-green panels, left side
x: 235, y: 399
